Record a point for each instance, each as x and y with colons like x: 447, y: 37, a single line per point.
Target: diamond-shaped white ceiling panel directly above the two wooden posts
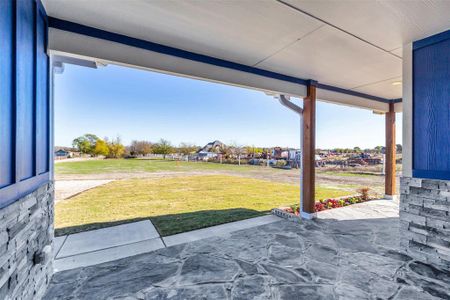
x: 335, y: 58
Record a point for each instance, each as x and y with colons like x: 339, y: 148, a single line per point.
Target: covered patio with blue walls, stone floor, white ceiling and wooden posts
x: 384, y: 56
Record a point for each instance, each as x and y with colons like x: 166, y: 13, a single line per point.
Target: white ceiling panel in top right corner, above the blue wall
x: 388, y: 24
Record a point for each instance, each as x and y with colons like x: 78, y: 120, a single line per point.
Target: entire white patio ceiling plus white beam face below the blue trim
x: 354, y: 45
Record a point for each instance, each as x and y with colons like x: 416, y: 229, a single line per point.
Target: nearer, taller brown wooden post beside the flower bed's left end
x: 309, y: 147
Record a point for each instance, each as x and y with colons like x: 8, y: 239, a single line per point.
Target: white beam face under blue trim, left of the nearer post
x: 77, y: 46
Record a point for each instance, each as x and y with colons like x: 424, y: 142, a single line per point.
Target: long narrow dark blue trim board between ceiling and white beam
x: 167, y: 50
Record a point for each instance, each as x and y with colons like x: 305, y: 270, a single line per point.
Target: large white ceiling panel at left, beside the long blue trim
x: 239, y: 31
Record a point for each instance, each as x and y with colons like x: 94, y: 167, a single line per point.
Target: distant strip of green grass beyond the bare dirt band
x: 140, y: 165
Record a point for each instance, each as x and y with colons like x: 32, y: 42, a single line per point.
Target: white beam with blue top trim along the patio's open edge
x: 97, y: 46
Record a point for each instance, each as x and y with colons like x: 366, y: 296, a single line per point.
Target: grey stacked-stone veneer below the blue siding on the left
x: 26, y: 236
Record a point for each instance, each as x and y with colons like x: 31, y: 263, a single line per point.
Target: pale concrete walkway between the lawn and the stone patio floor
x: 112, y: 243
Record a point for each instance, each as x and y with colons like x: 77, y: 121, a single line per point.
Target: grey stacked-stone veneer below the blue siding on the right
x: 425, y: 220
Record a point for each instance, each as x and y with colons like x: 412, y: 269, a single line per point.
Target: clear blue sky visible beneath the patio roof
x: 135, y: 104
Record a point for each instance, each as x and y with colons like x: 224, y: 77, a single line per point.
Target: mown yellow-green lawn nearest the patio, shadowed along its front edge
x: 174, y: 205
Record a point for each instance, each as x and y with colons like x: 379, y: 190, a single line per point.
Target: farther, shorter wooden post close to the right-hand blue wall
x: 390, y: 152
